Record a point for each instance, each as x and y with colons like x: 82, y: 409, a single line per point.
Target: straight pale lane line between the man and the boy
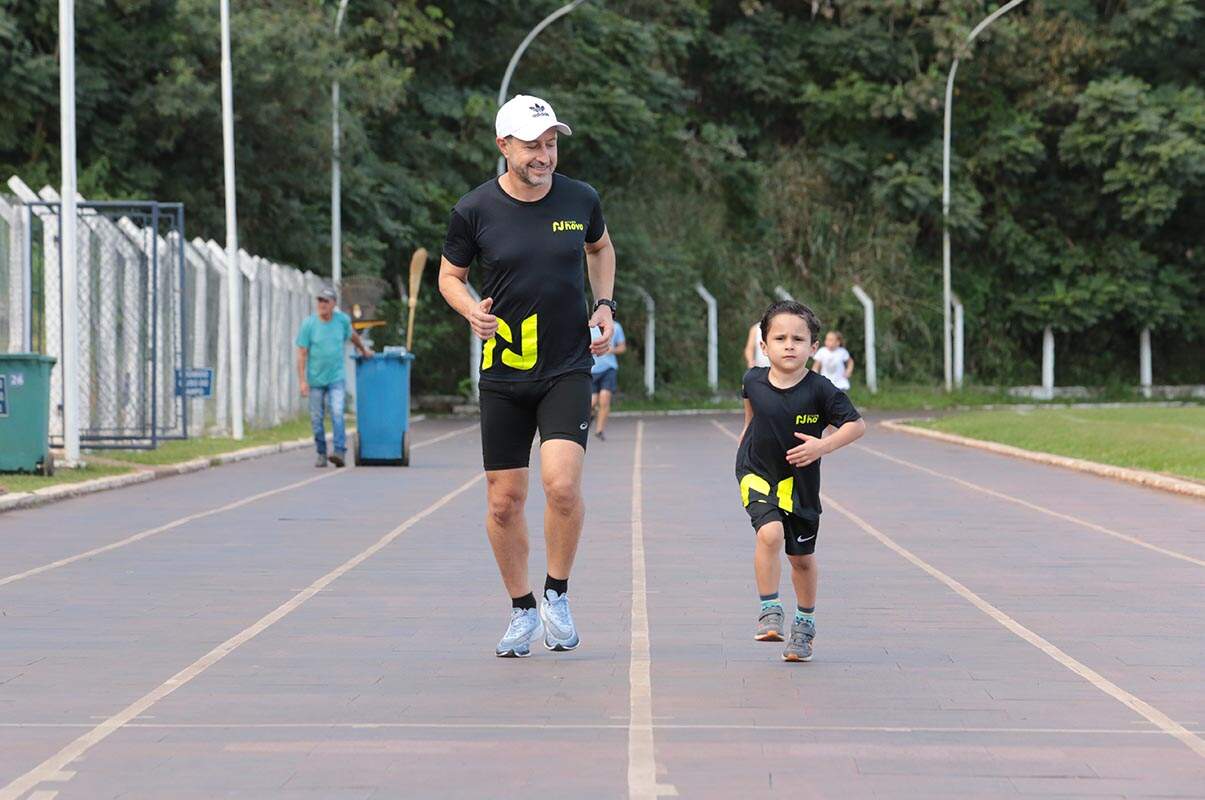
x: 642, y: 757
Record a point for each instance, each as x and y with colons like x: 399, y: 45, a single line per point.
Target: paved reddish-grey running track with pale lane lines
x: 987, y: 628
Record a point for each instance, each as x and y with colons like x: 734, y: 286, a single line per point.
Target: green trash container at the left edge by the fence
x: 26, y: 414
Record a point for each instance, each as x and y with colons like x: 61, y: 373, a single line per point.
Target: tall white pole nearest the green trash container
x: 69, y: 290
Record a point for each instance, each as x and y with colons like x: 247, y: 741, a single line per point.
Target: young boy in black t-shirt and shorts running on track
x: 787, y: 409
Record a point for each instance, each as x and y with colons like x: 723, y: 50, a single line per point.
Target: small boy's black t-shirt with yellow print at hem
x: 809, y: 408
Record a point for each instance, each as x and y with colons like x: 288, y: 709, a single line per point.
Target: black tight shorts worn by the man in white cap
x: 512, y: 413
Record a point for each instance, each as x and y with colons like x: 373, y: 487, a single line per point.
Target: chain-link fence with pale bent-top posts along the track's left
x: 154, y: 320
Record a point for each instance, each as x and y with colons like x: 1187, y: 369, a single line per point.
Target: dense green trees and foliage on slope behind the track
x: 743, y: 144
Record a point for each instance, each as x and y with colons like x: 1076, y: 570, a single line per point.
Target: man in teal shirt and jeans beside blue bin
x: 321, y: 370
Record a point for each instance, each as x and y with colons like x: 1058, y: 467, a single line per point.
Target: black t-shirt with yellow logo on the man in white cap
x: 531, y: 257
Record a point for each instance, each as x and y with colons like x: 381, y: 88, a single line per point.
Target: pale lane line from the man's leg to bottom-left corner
x: 51, y: 767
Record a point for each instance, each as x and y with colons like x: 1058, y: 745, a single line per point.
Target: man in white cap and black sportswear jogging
x: 528, y: 231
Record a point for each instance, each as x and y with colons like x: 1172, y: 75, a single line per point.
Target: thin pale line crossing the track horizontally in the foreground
x: 501, y: 726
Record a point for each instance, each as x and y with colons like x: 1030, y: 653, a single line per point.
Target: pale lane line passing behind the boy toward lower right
x: 1162, y: 721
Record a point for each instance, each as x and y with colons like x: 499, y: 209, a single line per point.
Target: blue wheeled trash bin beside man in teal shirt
x: 383, y: 409
